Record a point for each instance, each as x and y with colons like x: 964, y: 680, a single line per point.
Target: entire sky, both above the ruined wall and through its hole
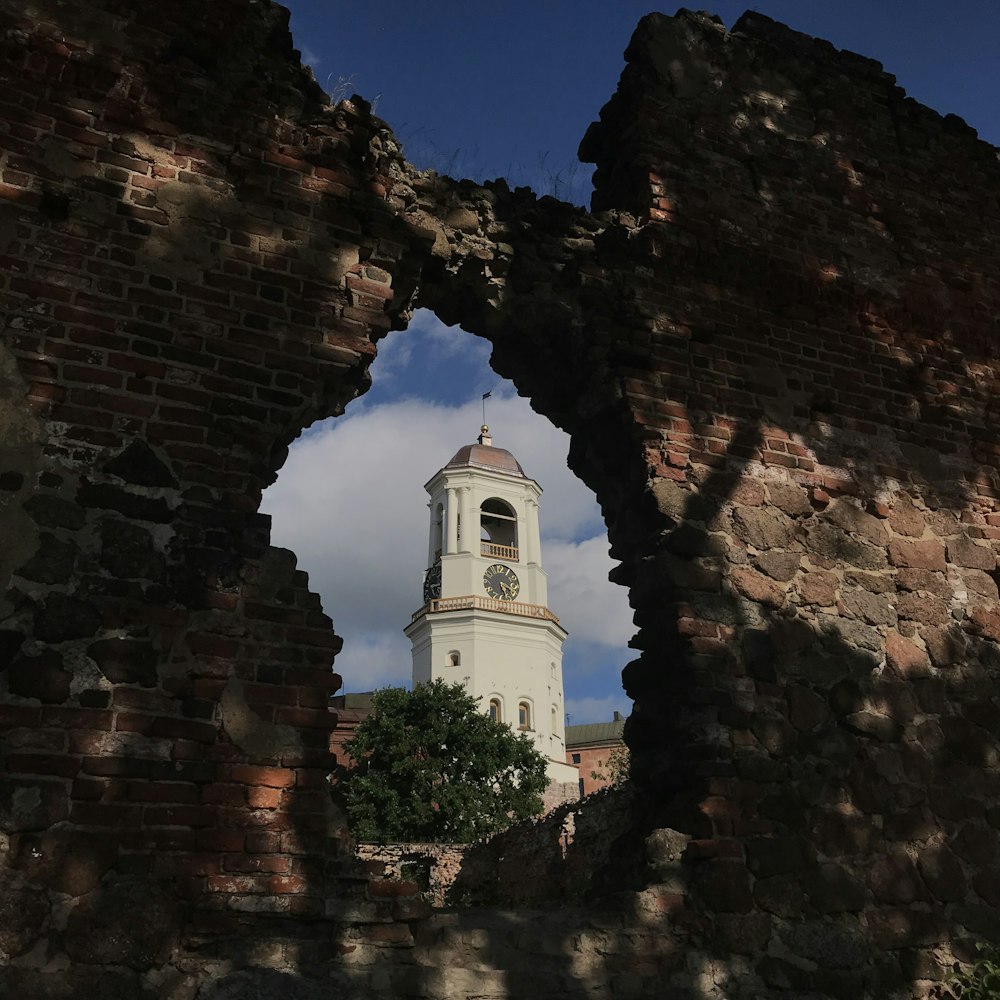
x: 508, y: 89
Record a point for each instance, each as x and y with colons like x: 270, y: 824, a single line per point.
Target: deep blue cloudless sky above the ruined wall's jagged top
x: 508, y: 87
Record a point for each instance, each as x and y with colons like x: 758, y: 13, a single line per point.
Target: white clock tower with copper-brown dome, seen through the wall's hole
x: 485, y: 621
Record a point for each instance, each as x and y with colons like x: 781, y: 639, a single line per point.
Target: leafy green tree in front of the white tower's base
x: 430, y: 767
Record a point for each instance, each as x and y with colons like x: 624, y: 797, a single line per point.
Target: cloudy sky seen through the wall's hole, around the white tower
x: 350, y: 502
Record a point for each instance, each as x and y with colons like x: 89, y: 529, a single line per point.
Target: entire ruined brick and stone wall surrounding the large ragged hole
x: 773, y: 343
